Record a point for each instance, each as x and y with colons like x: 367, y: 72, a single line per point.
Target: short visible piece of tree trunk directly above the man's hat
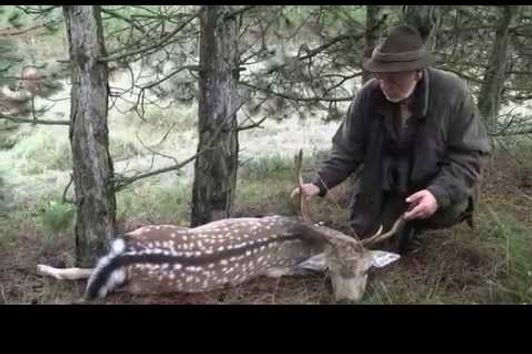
x: 425, y: 19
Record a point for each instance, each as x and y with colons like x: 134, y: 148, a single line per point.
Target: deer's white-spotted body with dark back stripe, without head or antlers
x: 167, y: 258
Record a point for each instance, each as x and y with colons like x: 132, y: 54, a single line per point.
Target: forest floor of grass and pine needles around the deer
x: 488, y: 265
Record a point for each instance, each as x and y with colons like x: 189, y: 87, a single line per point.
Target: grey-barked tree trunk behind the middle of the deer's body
x: 215, y: 170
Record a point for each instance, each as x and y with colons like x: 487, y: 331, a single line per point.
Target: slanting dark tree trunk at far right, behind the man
x: 489, y: 98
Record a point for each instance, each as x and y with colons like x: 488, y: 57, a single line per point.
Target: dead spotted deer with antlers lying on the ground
x: 159, y: 259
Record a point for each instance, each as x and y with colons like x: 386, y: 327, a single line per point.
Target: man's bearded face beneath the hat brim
x: 399, y: 85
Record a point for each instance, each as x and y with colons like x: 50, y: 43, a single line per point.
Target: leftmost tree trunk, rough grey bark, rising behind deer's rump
x: 93, y: 168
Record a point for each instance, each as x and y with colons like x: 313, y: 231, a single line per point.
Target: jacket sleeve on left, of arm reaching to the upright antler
x: 348, y: 146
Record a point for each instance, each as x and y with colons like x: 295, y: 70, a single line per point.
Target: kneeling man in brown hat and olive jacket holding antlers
x: 418, y: 137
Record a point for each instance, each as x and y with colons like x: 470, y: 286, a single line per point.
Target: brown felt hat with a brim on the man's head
x: 403, y: 50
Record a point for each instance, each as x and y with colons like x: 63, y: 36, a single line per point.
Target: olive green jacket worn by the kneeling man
x: 449, y: 145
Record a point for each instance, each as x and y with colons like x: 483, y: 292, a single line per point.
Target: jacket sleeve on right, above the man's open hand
x: 468, y: 147
